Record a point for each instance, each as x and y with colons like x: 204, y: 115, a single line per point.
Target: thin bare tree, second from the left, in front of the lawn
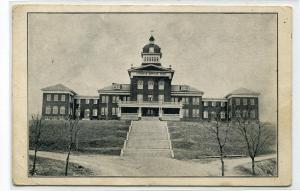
x: 73, y: 125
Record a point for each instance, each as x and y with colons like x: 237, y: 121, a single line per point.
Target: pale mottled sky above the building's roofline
x: 215, y: 53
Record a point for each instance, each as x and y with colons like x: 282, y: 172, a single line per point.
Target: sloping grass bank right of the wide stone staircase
x: 192, y: 140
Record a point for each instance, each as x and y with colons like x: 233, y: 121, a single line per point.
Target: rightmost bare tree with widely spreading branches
x: 255, y: 136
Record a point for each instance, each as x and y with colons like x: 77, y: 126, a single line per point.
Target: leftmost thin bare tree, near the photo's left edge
x: 37, y: 124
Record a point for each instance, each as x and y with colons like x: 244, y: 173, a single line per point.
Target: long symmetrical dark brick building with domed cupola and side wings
x: 150, y: 93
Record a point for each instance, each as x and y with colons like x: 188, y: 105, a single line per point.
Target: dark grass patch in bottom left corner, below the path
x: 51, y: 167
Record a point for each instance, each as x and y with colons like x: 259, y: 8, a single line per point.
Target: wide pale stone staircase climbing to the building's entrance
x: 148, y: 138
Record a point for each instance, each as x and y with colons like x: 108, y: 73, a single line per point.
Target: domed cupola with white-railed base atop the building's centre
x: 151, y: 53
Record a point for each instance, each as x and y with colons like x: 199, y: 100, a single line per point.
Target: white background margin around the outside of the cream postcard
x: 6, y: 87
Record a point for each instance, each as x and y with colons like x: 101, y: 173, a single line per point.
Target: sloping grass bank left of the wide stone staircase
x: 105, y: 137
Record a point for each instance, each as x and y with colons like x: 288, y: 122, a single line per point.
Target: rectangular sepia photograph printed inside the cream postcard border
x: 152, y: 94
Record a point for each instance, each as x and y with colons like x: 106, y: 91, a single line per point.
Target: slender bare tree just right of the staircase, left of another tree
x: 220, y: 131
